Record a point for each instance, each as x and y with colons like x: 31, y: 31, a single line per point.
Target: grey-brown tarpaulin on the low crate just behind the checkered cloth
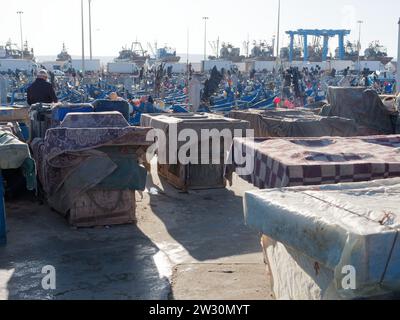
x: 295, y: 123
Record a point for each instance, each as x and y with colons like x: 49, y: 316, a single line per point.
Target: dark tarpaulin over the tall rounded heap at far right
x: 363, y: 106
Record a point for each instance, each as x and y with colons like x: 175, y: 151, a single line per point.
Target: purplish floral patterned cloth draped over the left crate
x: 71, y: 151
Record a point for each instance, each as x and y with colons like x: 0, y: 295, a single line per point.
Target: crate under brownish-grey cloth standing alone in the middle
x: 202, y: 173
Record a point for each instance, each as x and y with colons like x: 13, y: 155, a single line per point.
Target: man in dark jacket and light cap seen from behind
x: 41, y: 91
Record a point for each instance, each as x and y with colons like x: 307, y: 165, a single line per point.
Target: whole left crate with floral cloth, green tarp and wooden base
x: 90, y: 166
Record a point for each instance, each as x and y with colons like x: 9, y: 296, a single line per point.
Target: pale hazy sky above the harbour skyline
x: 49, y: 23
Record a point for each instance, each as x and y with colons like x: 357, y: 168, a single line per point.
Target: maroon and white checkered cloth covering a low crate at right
x: 315, y: 161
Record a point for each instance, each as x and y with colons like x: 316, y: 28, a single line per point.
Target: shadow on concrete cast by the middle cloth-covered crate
x: 209, y: 224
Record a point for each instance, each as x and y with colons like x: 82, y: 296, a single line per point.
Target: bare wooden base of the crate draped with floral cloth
x: 103, y: 207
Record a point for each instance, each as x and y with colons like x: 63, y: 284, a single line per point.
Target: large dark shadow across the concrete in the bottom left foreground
x: 113, y: 263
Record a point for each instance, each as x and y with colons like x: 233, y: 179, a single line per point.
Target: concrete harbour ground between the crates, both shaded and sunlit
x: 185, y: 246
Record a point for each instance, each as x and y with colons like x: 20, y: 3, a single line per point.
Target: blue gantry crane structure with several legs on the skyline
x: 325, y: 34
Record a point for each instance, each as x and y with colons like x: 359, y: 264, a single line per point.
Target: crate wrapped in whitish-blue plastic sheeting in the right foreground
x: 318, y: 232
